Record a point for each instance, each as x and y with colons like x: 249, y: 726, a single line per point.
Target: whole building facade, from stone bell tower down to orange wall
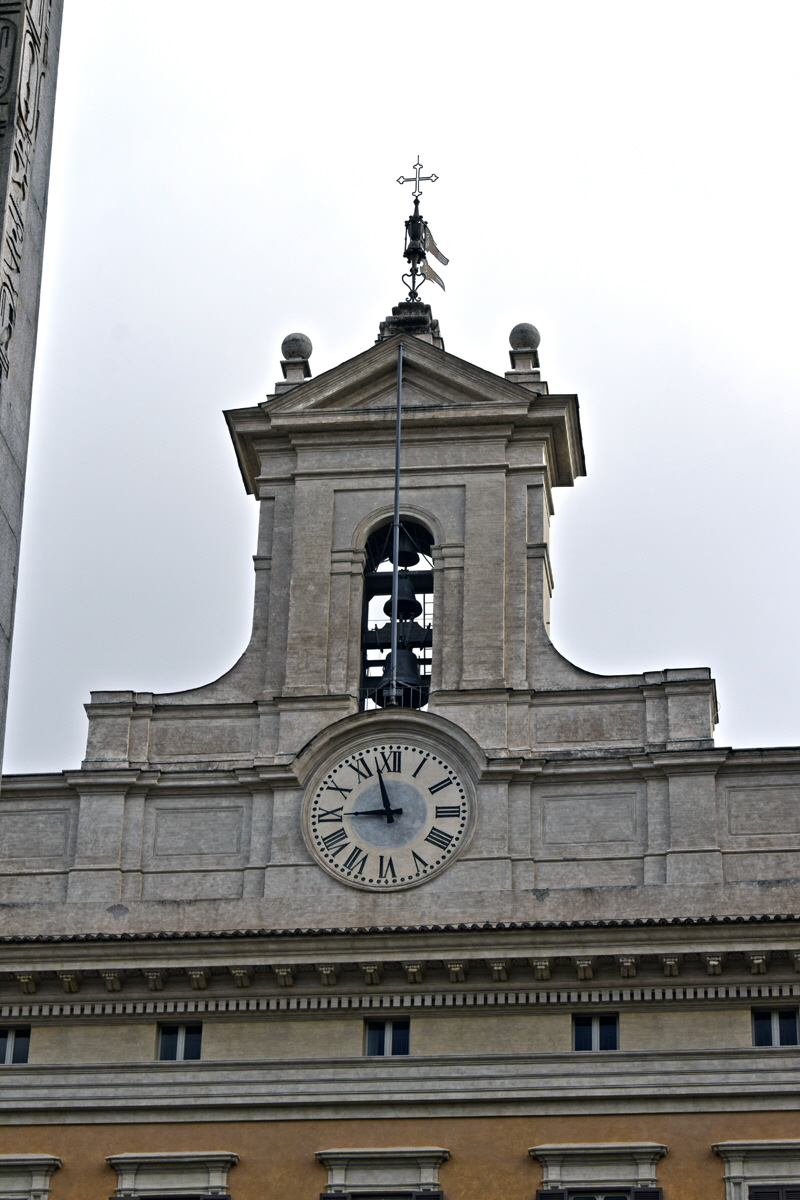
x: 619, y: 867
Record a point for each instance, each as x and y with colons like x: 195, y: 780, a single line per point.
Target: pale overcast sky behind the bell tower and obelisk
x: 624, y: 176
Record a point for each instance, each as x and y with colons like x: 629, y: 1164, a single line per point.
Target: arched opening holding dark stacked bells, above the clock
x: 414, y: 617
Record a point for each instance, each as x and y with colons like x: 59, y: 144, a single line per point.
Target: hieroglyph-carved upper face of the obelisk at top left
x: 23, y: 57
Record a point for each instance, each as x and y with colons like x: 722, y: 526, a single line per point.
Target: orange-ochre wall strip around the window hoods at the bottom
x: 490, y: 1155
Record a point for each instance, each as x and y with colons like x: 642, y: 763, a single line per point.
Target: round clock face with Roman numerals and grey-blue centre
x: 388, y: 815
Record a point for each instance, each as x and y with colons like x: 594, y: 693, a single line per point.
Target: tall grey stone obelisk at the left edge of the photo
x: 29, y: 58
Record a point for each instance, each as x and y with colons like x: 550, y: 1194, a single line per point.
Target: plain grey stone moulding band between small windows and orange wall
x: 466, y: 1085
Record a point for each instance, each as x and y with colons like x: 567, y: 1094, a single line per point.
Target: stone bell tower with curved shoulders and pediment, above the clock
x: 483, y: 458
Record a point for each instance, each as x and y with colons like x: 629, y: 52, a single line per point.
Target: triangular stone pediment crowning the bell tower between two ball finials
x: 431, y: 377
